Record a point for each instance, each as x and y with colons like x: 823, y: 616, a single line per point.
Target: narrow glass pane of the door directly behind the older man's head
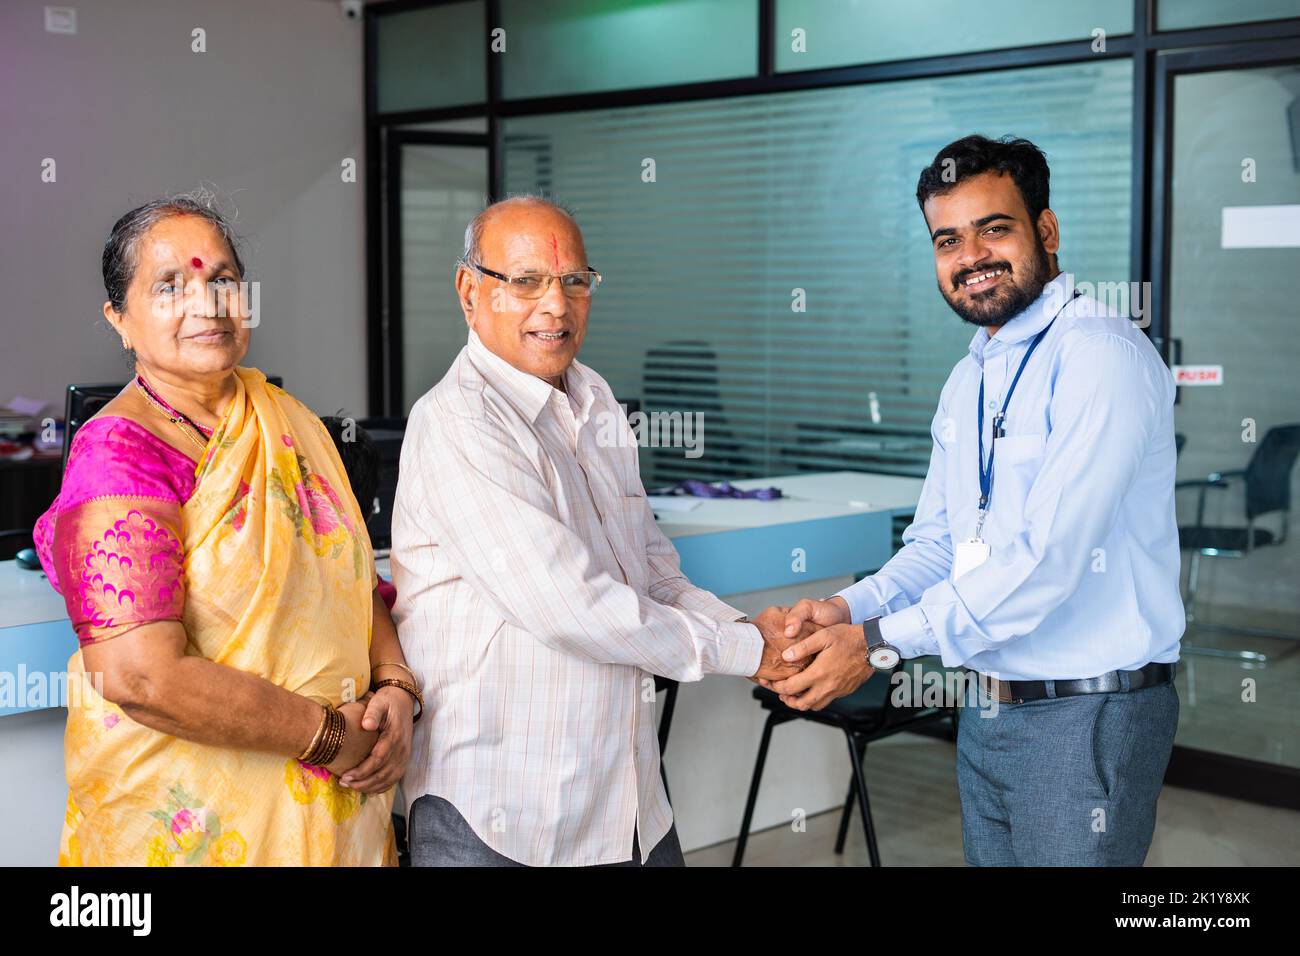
x: 443, y: 189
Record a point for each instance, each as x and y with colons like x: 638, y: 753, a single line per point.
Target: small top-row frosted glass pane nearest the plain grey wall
x: 432, y: 58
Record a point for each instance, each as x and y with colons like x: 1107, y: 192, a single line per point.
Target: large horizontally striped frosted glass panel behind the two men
x: 760, y: 197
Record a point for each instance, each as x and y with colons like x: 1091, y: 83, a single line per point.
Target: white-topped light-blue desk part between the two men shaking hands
x: 829, y: 529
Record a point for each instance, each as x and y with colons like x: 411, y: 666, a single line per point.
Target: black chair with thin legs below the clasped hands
x: 864, y: 716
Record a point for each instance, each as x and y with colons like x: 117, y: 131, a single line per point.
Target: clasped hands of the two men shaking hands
x: 812, y: 654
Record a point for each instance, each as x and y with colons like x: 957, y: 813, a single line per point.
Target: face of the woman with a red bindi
x: 184, y: 308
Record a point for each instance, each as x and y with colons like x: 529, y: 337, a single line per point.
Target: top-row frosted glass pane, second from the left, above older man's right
x: 584, y: 46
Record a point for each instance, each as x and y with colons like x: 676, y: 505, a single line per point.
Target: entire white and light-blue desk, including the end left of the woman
x: 753, y: 553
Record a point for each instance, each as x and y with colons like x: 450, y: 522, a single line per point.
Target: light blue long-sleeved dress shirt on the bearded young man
x: 1084, y: 572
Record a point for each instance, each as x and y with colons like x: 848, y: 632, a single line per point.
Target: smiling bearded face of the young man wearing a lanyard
x: 991, y: 259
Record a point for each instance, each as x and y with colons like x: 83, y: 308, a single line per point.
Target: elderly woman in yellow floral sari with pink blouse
x: 252, y: 703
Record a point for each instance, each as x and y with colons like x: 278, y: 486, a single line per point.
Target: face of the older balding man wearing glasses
x: 536, y: 336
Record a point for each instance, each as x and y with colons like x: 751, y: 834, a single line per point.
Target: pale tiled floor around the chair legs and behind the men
x: 913, y: 785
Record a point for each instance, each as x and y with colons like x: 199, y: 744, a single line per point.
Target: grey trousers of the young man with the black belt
x: 1065, y: 782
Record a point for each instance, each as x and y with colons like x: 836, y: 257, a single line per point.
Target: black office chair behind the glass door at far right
x: 1268, y: 490
